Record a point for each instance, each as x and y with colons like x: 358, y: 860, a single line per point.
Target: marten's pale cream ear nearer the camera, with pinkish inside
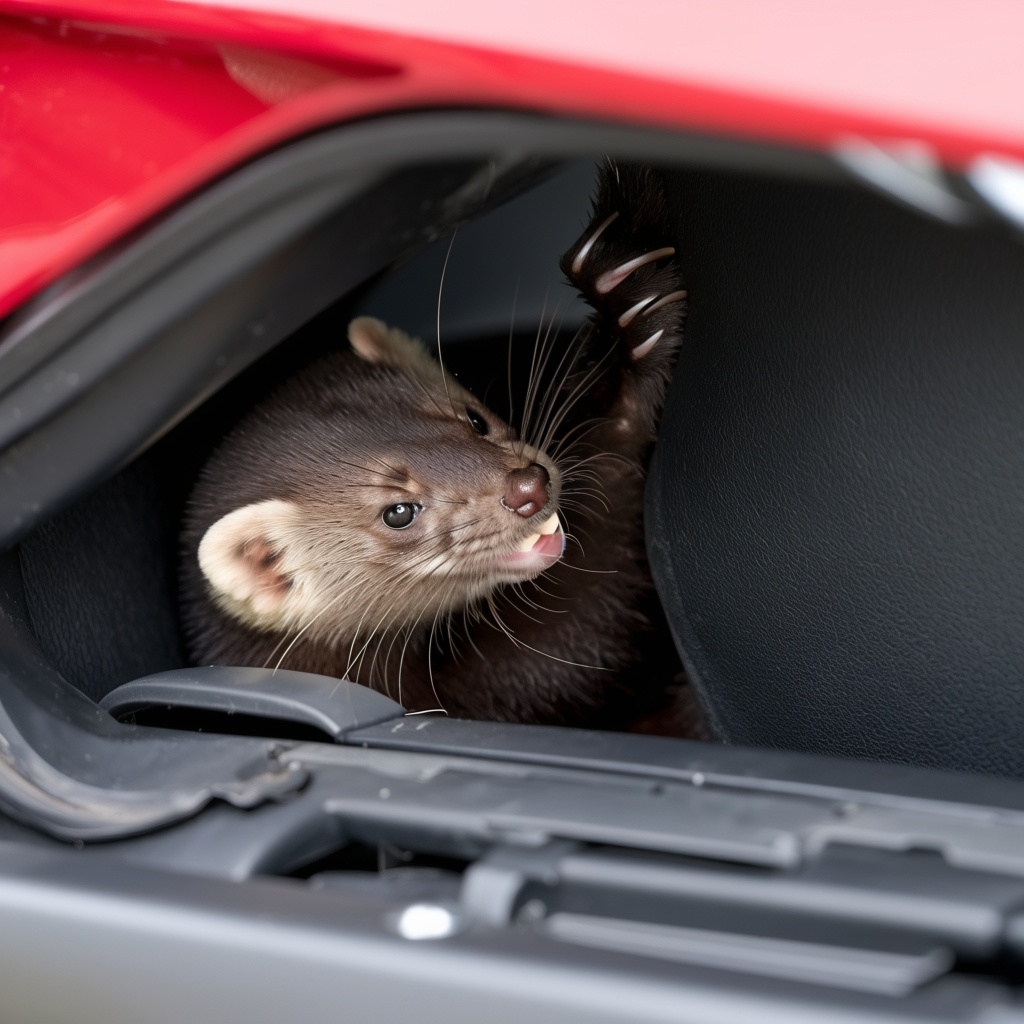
x: 244, y: 559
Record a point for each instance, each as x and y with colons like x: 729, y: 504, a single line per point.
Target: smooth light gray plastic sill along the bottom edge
x: 133, y: 945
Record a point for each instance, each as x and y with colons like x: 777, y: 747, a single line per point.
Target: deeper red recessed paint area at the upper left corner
x: 103, y: 130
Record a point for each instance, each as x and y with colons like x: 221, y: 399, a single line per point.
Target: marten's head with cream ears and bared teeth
x: 371, y: 493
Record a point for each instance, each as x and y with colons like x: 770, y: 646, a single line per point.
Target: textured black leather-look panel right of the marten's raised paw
x: 835, y: 510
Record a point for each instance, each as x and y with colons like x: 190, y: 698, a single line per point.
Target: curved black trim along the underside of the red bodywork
x: 94, y: 374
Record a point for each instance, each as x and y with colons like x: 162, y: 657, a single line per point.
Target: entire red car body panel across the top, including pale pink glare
x: 111, y: 111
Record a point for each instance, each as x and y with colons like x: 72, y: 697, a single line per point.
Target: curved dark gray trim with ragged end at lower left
x: 72, y: 772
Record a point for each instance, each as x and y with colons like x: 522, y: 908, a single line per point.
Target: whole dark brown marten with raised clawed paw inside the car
x: 373, y: 520
